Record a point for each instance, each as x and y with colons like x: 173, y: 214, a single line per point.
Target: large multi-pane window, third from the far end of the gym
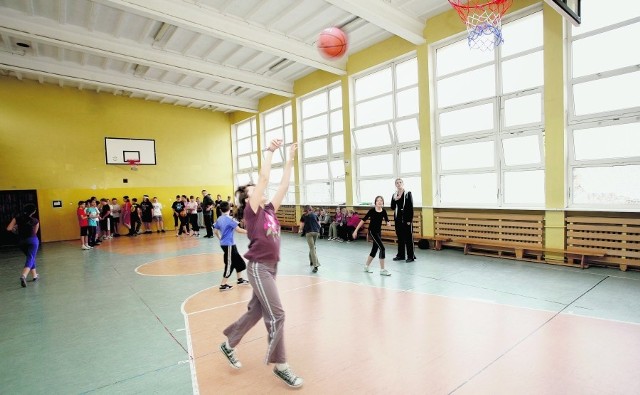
x: 322, y: 147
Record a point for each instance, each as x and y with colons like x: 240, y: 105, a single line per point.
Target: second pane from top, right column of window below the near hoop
x: 523, y: 72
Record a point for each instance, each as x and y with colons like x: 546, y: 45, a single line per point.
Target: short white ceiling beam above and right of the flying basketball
x: 385, y: 16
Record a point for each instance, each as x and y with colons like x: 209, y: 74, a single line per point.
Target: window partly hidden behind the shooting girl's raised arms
x: 278, y: 124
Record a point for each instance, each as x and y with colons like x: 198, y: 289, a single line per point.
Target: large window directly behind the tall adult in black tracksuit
x: 386, y: 137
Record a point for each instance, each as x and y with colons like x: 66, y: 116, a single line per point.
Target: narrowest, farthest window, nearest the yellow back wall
x: 245, y: 146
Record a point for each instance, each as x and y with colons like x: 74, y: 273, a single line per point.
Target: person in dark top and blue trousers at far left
x: 26, y: 227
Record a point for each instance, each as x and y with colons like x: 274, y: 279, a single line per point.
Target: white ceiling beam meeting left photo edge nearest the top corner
x: 78, y: 39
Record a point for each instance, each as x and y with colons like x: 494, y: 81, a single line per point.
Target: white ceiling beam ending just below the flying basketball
x: 206, y: 20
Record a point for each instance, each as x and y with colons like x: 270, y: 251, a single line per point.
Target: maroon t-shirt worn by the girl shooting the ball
x: 263, y: 230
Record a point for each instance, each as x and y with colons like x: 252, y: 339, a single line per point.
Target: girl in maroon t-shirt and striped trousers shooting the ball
x: 263, y: 231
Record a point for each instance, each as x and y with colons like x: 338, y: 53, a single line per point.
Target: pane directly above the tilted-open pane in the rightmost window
x: 606, y: 94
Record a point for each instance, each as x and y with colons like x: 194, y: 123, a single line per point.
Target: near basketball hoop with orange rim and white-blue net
x: 483, y: 19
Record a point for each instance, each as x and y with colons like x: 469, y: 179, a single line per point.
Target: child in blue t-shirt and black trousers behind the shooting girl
x: 223, y: 229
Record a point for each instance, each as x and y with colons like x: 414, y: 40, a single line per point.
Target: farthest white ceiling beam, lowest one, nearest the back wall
x: 86, y: 75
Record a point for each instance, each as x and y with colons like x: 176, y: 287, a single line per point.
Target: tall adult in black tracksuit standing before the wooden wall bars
x: 402, y: 206
